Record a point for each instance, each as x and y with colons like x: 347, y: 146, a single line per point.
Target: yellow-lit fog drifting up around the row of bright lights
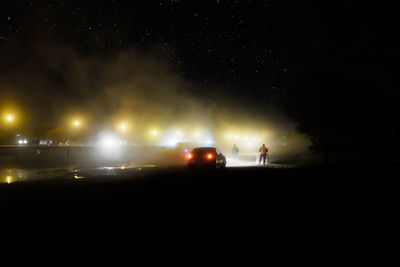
x: 51, y: 84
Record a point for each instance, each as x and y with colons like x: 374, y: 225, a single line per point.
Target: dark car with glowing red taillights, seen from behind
x: 207, y: 157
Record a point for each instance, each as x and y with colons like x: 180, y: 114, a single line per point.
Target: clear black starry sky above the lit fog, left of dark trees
x: 247, y: 48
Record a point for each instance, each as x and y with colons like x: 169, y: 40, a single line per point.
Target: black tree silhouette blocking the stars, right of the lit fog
x: 343, y: 95
